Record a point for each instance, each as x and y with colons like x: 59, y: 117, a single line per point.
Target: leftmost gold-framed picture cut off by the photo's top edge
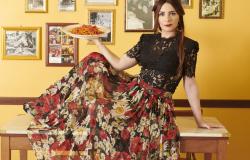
x: 36, y: 6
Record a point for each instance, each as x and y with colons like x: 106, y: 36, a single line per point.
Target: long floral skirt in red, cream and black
x: 95, y: 112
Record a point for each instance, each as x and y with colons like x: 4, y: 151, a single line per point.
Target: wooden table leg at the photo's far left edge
x: 5, y: 148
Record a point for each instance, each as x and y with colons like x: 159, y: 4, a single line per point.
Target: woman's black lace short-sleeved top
x: 159, y: 60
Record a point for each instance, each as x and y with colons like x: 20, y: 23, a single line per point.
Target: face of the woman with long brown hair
x: 168, y: 19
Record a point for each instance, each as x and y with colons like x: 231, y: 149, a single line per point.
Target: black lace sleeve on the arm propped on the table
x: 190, y: 59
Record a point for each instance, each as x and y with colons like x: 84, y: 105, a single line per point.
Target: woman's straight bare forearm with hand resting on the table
x: 192, y: 93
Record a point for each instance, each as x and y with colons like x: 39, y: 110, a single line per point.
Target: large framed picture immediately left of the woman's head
x: 139, y: 16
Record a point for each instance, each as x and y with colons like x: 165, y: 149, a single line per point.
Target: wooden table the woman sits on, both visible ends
x: 196, y: 140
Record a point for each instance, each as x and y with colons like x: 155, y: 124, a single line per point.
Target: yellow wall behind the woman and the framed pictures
x: 222, y: 68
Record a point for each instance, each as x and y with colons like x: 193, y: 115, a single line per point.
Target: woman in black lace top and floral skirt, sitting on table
x: 96, y: 112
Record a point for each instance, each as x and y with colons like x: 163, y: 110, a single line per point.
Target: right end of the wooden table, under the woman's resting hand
x: 199, y: 140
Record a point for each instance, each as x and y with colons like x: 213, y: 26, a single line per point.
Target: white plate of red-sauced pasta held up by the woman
x: 85, y: 31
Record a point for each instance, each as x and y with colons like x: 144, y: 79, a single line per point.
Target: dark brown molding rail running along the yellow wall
x: 211, y: 103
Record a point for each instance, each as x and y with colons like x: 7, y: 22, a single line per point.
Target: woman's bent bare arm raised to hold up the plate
x: 117, y: 63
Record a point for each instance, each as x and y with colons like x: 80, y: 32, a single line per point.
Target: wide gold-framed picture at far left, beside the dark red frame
x: 21, y: 43
